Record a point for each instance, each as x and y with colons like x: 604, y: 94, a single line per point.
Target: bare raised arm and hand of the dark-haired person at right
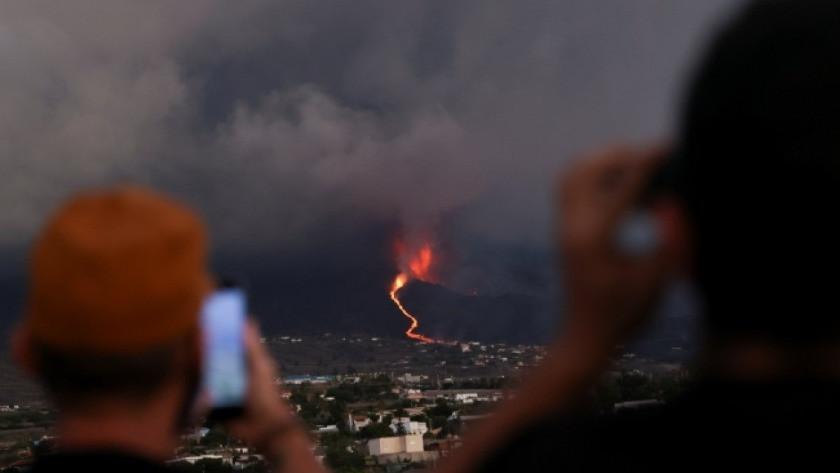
x: 608, y: 295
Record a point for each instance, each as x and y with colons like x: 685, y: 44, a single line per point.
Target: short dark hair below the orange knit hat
x: 78, y: 379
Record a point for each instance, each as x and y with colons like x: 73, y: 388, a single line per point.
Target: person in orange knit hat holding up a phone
x: 117, y: 277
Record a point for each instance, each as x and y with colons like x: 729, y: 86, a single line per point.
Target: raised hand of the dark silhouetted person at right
x: 609, y: 294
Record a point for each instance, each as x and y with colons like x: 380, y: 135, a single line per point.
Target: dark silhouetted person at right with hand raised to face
x: 745, y: 205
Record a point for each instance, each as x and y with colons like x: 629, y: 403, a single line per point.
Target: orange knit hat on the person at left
x: 117, y: 271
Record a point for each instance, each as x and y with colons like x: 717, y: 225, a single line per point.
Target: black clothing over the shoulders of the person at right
x: 716, y: 426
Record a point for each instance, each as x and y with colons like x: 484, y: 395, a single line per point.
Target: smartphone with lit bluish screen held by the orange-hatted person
x: 225, y: 375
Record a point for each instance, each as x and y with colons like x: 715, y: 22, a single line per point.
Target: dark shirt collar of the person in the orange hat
x: 96, y: 462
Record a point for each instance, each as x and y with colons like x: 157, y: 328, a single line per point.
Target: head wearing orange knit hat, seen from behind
x: 116, y: 280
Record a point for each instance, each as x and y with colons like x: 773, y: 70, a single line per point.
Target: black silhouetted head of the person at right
x: 759, y: 171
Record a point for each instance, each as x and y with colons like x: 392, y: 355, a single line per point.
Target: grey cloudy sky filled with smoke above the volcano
x: 317, y: 132
